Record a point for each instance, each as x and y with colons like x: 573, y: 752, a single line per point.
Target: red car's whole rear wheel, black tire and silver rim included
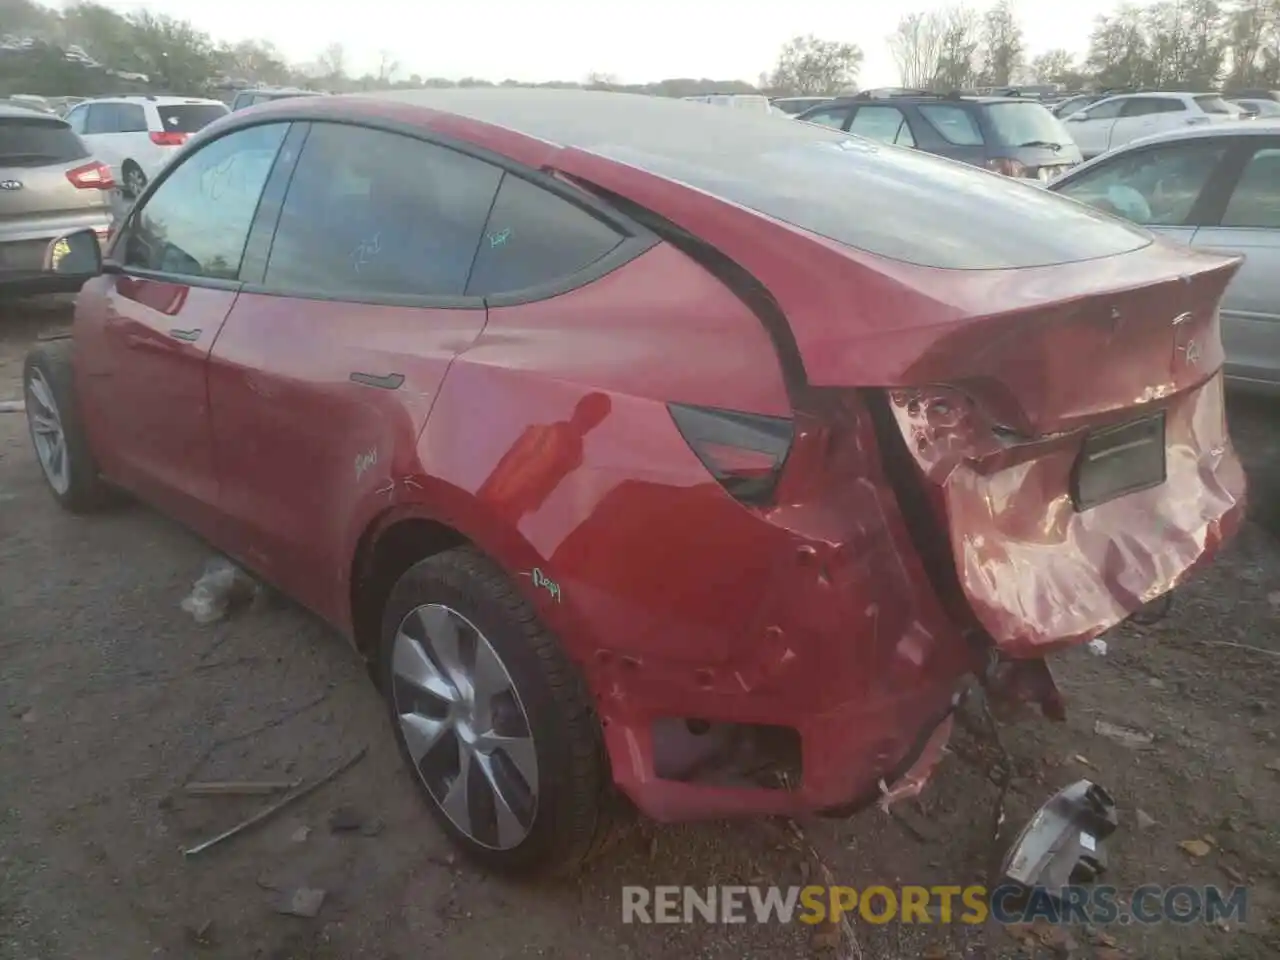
x: 493, y: 719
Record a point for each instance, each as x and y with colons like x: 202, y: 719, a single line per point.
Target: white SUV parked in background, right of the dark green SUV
x: 1121, y: 120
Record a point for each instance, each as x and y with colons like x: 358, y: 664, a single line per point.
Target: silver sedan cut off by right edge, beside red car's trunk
x: 1218, y: 189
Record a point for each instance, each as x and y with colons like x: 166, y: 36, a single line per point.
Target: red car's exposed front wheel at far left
x: 57, y: 431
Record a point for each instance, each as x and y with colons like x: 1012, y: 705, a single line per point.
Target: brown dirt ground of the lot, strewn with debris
x: 113, y: 700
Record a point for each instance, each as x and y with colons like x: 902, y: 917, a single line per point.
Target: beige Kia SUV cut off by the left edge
x: 49, y: 188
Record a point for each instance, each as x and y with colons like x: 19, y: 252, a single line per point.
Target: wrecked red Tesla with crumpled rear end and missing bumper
x: 646, y: 450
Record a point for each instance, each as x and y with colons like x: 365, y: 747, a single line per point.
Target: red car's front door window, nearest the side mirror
x: 198, y: 221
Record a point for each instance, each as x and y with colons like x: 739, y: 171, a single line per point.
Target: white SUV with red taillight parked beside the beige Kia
x: 139, y: 135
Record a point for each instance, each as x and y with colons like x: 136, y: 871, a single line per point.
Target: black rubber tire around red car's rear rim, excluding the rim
x: 575, y: 797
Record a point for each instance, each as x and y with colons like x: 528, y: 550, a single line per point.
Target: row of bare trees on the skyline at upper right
x: 1171, y: 44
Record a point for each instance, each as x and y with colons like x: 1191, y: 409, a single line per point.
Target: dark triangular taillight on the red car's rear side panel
x: 744, y: 452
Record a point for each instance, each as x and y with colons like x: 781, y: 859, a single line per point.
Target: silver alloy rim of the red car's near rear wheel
x: 465, y: 728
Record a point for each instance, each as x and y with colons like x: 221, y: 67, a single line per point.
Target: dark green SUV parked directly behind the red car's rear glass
x: 1014, y: 136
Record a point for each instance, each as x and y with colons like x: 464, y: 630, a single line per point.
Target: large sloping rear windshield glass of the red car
x: 893, y: 202
